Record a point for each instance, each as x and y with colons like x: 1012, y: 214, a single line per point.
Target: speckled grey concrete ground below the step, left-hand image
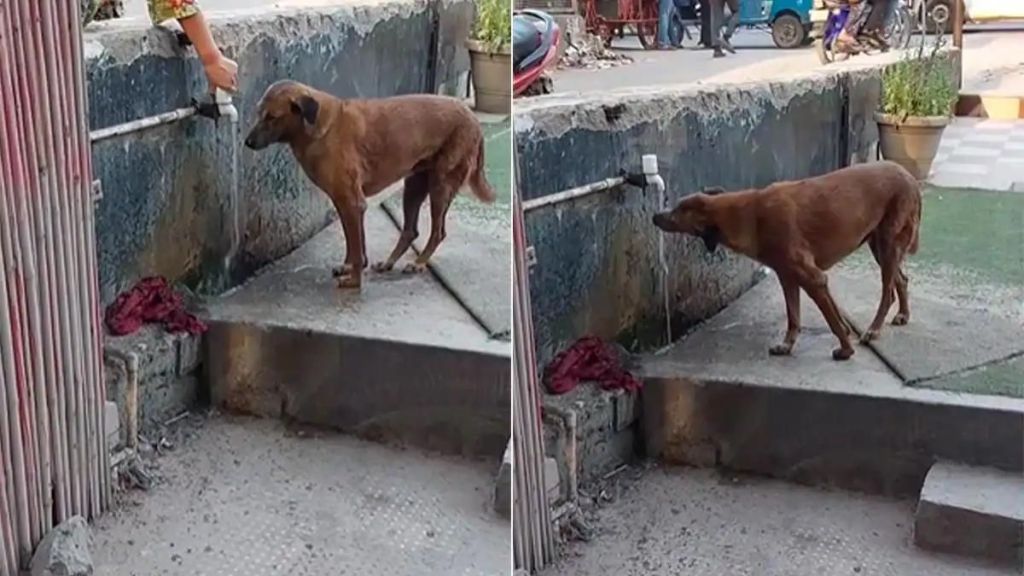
x: 250, y: 498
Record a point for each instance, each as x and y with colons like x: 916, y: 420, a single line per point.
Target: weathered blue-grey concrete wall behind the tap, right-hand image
x: 599, y: 270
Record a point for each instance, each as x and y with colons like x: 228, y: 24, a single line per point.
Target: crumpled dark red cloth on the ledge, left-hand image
x: 152, y: 301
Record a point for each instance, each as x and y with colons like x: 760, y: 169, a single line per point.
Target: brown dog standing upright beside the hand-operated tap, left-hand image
x: 354, y: 149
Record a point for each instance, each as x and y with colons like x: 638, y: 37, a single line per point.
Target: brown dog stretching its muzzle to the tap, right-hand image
x: 802, y: 229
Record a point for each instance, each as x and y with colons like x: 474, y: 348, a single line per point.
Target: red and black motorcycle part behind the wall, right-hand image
x: 535, y: 48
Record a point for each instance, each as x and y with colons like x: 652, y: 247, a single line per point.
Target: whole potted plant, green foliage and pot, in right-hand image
x: 918, y: 98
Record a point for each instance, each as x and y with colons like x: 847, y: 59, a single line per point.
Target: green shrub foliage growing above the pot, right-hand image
x: 920, y: 85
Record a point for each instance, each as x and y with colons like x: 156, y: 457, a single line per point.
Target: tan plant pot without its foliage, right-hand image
x: 912, y: 143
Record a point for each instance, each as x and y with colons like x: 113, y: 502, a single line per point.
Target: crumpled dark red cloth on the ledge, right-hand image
x: 588, y: 359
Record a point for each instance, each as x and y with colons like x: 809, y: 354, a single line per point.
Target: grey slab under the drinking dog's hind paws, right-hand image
x: 940, y: 341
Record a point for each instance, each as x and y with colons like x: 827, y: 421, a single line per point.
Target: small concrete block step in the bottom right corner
x: 972, y: 512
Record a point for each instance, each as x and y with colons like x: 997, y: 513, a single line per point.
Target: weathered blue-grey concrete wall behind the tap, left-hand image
x: 168, y: 204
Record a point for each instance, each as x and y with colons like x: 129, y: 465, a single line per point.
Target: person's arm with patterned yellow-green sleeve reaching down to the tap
x: 221, y: 71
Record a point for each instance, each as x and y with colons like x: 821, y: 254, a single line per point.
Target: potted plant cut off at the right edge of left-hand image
x: 491, y: 57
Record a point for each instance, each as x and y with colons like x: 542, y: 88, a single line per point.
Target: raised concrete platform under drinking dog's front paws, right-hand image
x: 806, y: 418
